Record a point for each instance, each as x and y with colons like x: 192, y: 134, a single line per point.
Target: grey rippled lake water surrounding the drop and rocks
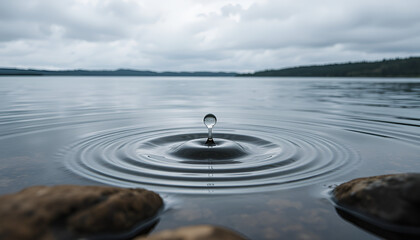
x: 281, y: 144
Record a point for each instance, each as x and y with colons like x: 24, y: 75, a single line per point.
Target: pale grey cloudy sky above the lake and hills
x: 225, y: 35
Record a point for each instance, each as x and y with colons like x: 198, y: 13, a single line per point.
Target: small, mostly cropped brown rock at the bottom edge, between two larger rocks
x: 200, y: 232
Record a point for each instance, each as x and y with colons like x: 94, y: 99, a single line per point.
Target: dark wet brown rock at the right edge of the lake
x: 393, y: 198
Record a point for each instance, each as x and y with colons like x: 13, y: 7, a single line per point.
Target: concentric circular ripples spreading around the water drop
x: 246, y: 158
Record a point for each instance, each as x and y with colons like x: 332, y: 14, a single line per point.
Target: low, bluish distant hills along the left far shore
x: 119, y: 72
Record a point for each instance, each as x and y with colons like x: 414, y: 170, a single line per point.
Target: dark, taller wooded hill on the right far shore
x: 408, y: 67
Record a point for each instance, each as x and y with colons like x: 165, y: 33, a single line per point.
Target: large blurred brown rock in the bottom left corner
x: 40, y: 212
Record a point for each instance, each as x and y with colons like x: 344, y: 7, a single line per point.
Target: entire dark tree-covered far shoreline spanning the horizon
x: 408, y: 67
